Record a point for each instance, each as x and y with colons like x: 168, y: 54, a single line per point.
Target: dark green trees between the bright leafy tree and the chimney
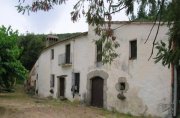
x: 31, y: 46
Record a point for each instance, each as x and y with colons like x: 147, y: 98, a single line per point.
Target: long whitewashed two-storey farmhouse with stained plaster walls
x: 72, y: 69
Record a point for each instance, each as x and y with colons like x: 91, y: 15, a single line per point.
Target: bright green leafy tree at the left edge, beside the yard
x: 10, y: 67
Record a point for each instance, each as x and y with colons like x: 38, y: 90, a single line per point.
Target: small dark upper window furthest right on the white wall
x: 133, y: 49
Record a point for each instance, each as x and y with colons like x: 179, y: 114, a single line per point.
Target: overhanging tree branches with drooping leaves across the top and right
x: 100, y: 12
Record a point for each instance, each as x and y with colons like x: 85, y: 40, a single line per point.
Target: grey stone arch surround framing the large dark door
x: 97, y: 73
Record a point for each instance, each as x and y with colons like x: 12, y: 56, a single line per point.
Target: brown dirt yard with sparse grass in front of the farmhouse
x: 20, y: 105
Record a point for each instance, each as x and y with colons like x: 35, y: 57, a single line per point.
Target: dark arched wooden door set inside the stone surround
x: 97, y: 92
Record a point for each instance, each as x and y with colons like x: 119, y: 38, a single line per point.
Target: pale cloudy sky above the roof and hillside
x: 56, y: 21
